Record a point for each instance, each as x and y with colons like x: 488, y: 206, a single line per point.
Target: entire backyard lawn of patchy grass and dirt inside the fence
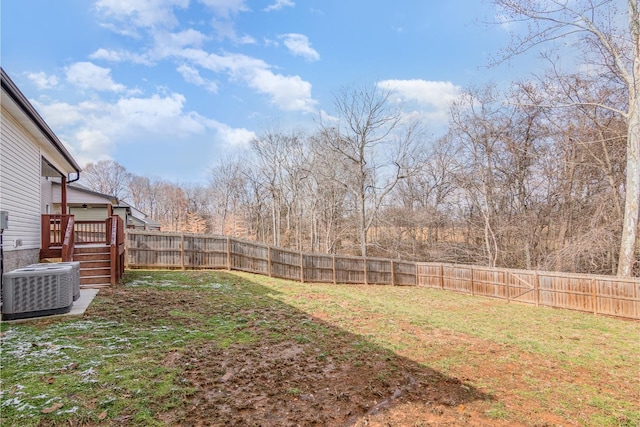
x: 220, y: 348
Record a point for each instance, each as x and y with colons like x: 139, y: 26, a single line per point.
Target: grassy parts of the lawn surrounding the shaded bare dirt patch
x: 111, y: 367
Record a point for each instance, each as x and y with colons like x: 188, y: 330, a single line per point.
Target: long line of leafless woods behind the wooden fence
x: 513, y: 183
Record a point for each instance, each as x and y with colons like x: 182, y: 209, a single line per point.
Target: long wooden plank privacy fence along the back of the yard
x: 606, y: 295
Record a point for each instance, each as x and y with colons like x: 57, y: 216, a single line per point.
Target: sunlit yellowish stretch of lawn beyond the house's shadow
x: 560, y: 341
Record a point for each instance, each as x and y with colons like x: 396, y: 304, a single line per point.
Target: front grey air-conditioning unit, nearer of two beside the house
x: 31, y: 292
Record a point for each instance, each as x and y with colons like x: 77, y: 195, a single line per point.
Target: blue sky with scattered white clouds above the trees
x: 169, y: 88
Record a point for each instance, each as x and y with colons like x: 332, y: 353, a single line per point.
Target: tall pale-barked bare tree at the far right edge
x: 615, y: 51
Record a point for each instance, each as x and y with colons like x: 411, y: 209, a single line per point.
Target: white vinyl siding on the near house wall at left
x: 20, y: 162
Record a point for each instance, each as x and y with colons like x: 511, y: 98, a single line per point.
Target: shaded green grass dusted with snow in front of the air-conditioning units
x: 101, y: 363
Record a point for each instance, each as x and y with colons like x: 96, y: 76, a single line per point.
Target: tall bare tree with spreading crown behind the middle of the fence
x: 375, y: 147
